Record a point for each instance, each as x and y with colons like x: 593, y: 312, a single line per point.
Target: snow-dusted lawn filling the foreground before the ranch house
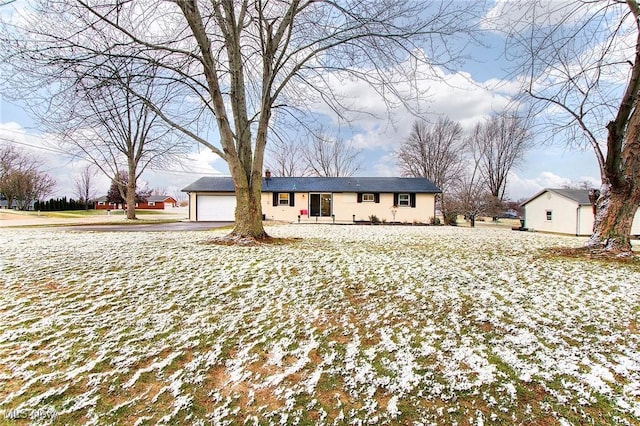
x: 350, y: 325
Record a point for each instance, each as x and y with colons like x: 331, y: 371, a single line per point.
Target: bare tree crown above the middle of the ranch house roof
x: 331, y: 157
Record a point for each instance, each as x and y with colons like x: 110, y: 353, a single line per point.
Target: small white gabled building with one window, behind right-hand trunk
x: 564, y: 211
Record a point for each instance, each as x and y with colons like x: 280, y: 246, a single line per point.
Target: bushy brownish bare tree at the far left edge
x: 21, y: 181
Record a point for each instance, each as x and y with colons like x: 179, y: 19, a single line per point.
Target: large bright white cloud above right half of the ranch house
x: 380, y: 124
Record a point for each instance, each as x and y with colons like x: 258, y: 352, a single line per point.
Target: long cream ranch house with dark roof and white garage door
x: 321, y: 199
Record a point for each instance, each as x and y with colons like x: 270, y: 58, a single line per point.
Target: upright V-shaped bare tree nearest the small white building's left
x: 505, y: 139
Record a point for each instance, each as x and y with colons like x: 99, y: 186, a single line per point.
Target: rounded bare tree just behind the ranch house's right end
x: 436, y: 152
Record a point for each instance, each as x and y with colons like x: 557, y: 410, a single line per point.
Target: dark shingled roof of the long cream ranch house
x: 322, y: 184
